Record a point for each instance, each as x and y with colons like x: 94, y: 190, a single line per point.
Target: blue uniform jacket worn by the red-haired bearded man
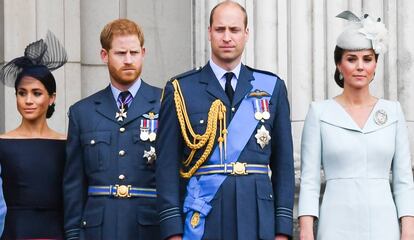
x: 102, y: 151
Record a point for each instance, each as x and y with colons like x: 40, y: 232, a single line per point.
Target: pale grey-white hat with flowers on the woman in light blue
x: 363, y: 33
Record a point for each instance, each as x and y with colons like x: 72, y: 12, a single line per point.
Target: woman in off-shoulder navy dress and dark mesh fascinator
x: 32, y: 156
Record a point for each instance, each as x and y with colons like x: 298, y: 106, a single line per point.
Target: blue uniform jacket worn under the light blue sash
x: 248, y: 207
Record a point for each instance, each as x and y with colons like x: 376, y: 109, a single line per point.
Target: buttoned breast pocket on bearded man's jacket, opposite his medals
x: 96, y: 150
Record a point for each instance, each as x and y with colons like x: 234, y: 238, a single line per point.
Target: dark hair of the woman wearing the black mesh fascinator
x: 43, y: 75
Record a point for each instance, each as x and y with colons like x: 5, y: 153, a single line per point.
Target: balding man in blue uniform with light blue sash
x: 222, y: 127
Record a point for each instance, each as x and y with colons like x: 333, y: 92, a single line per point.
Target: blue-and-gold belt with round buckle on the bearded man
x: 121, y: 191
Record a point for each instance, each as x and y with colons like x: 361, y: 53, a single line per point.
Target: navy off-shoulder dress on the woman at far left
x: 32, y: 172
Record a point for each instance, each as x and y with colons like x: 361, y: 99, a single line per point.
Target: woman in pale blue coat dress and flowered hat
x: 358, y: 139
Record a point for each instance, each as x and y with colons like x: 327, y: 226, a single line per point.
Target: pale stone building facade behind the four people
x: 293, y: 38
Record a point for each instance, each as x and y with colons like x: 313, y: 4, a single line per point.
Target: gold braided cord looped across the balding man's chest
x: 216, y: 118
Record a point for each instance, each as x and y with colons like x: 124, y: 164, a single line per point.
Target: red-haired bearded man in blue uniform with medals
x: 109, y: 181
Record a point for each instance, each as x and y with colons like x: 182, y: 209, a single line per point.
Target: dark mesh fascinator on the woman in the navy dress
x: 47, y: 52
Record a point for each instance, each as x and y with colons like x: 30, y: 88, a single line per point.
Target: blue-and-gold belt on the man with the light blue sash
x: 236, y: 168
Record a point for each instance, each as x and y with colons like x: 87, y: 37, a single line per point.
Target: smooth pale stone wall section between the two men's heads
x: 167, y: 27
